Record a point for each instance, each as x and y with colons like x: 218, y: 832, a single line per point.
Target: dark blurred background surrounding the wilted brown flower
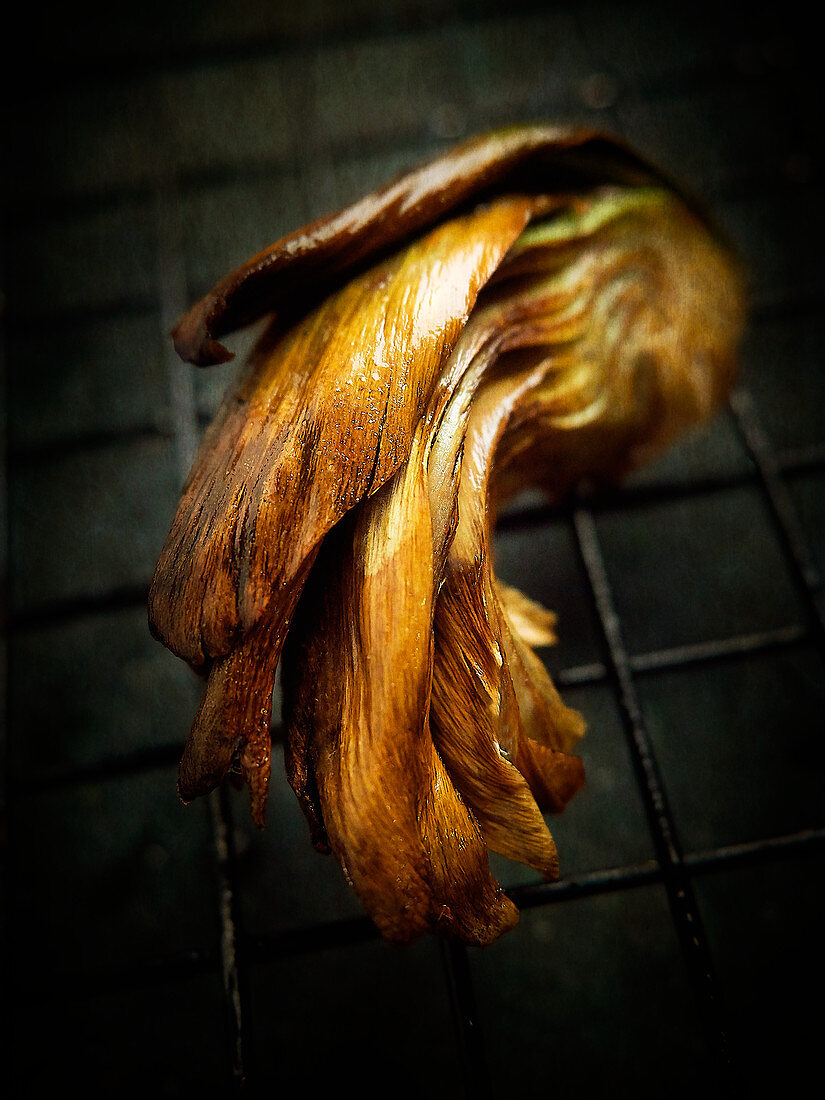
x: 151, y: 150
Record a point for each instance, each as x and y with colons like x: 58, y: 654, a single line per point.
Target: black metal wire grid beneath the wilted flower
x: 621, y: 668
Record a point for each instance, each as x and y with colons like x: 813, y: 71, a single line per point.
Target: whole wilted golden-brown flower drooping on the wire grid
x: 537, y: 307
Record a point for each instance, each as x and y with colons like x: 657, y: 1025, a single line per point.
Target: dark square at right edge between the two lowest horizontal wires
x: 740, y: 744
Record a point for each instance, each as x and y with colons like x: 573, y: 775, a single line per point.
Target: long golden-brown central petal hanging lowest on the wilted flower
x: 360, y: 711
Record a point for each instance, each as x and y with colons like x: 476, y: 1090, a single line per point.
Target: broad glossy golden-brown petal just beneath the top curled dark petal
x: 324, y: 419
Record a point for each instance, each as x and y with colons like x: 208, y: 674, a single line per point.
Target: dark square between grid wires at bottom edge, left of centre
x: 367, y: 1019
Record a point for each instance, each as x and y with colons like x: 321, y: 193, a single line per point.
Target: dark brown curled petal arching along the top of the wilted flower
x: 527, y: 160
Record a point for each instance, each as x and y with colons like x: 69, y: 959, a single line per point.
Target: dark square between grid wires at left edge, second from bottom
x: 115, y: 874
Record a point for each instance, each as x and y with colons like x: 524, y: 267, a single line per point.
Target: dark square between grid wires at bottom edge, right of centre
x: 590, y: 977
